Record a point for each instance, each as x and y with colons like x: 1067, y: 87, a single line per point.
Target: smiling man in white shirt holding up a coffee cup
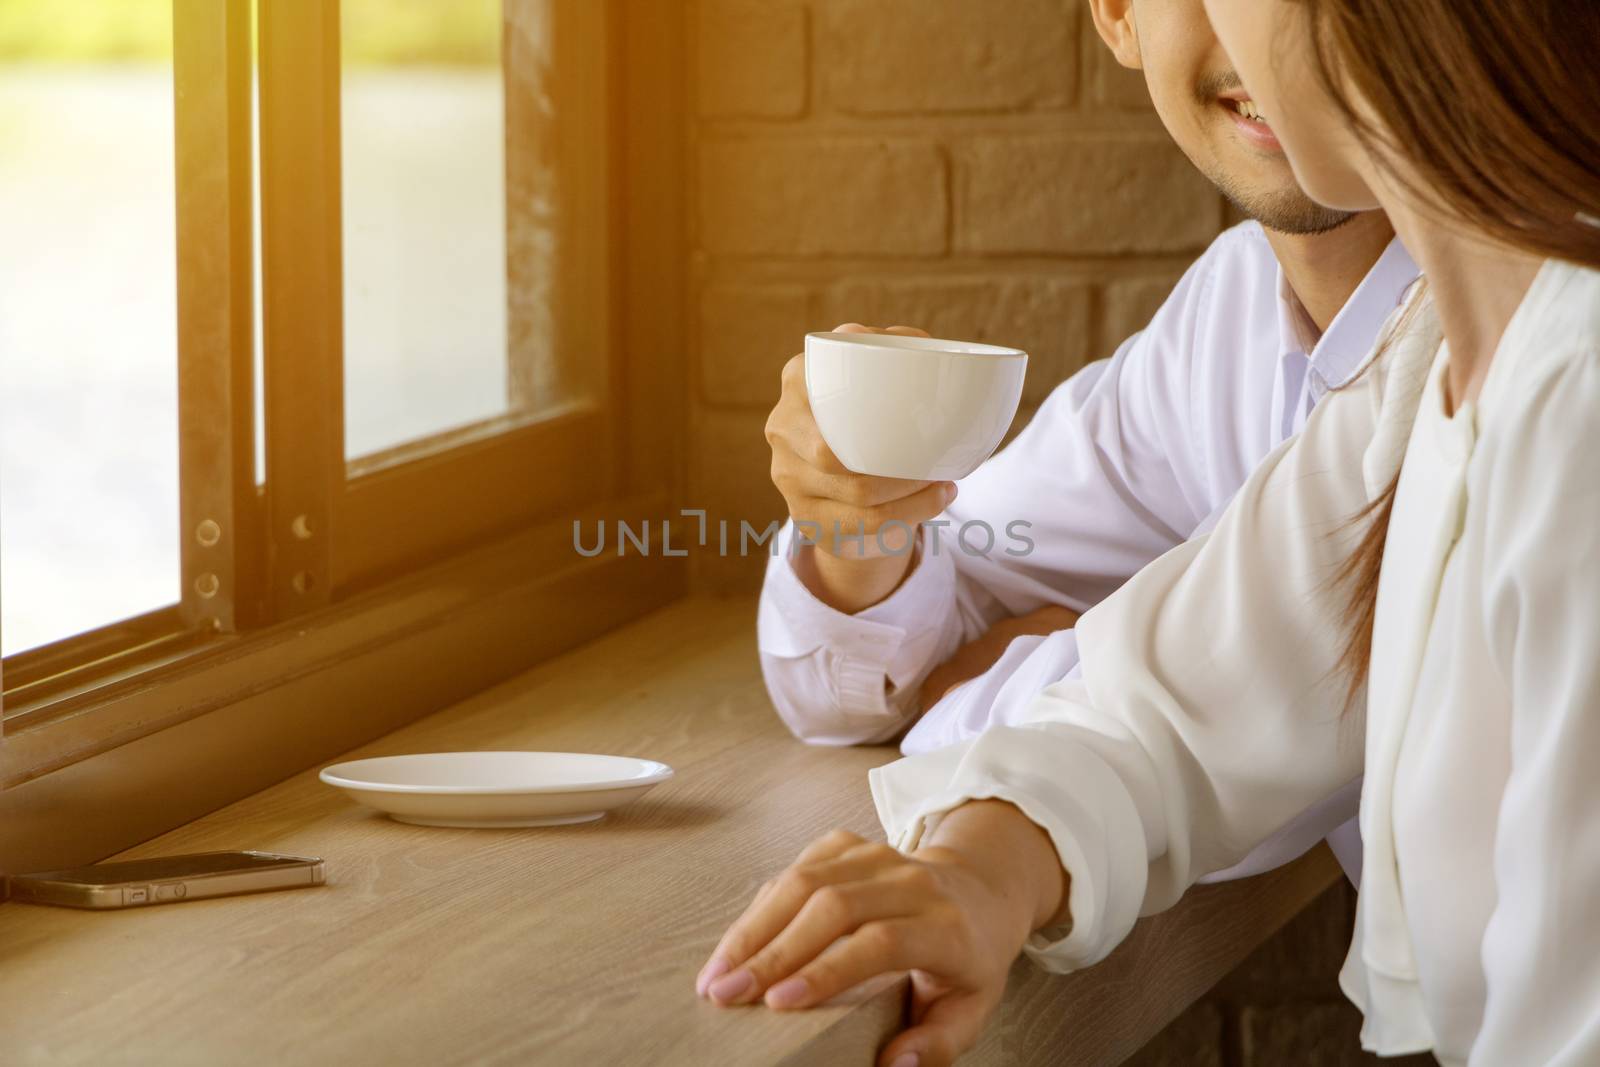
x: 1124, y: 462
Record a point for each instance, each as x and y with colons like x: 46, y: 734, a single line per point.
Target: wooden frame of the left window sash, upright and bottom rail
x: 215, y: 249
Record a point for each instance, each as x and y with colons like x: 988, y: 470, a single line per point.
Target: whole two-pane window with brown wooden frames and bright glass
x: 390, y: 250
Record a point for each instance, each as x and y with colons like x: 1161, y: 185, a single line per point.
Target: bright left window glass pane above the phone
x: 89, y: 334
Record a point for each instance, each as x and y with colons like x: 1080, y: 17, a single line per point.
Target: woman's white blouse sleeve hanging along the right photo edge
x: 1542, y: 949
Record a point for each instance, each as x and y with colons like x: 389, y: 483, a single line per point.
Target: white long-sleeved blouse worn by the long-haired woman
x: 1210, y: 709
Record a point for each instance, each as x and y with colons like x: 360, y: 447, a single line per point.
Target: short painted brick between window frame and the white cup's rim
x: 746, y: 335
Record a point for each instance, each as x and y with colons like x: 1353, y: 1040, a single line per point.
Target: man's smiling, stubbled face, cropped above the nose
x: 1206, y: 108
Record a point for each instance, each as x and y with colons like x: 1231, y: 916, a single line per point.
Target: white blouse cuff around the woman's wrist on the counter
x: 1062, y: 786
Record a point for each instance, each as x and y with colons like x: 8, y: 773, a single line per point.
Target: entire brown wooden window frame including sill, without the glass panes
x: 257, y: 673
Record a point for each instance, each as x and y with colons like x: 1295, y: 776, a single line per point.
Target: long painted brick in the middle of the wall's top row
x: 903, y: 57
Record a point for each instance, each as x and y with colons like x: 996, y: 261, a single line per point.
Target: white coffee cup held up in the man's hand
x: 911, y: 407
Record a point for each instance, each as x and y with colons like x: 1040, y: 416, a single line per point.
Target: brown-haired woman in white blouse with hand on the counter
x: 1466, y: 597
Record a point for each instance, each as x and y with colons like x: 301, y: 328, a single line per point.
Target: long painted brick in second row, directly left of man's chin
x: 1081, y: 196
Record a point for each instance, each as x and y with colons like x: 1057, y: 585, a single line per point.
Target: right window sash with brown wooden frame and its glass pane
x: 356, y: 508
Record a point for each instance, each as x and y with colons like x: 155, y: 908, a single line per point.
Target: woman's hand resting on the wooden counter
x: 954, y: 917
